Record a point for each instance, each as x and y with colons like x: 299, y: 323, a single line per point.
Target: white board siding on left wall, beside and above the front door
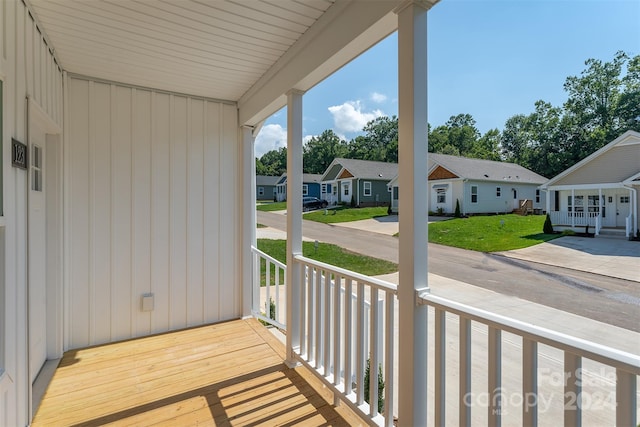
x: 27, y: 69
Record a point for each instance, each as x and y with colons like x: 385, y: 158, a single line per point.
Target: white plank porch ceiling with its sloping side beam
x: 222, y: 49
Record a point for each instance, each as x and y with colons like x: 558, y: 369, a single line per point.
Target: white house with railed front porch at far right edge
x: 600, y: 191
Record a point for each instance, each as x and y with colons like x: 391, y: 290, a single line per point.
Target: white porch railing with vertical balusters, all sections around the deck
x: 340, y: 330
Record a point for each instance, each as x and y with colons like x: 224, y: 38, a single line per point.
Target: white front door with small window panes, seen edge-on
x: 37, y: 254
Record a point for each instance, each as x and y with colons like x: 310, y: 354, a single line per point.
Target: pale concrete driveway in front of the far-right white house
x: 606, y: 256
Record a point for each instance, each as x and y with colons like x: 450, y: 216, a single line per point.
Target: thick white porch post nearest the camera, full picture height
x: 412, y: 114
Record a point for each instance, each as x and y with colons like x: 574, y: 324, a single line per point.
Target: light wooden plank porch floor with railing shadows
x: 224, y: 374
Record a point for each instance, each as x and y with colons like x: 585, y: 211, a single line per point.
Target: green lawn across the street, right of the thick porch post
x: 490, y: 233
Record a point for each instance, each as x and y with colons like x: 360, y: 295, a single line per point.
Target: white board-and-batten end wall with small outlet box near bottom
x: 153, y: 207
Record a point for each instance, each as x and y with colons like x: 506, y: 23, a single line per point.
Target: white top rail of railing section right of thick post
x: 616, y: 358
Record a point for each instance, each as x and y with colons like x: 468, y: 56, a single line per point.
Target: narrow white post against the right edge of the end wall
x: 248, y: 217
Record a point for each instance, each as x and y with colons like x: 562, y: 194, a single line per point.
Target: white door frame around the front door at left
x: 37, y: 117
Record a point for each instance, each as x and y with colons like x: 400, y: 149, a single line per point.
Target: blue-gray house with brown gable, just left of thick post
x: 363, y: 181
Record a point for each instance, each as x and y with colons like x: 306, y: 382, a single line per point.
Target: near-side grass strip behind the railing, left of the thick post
x: 327, y: 253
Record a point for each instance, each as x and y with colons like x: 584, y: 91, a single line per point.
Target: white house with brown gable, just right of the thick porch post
x: 480, y: 186
